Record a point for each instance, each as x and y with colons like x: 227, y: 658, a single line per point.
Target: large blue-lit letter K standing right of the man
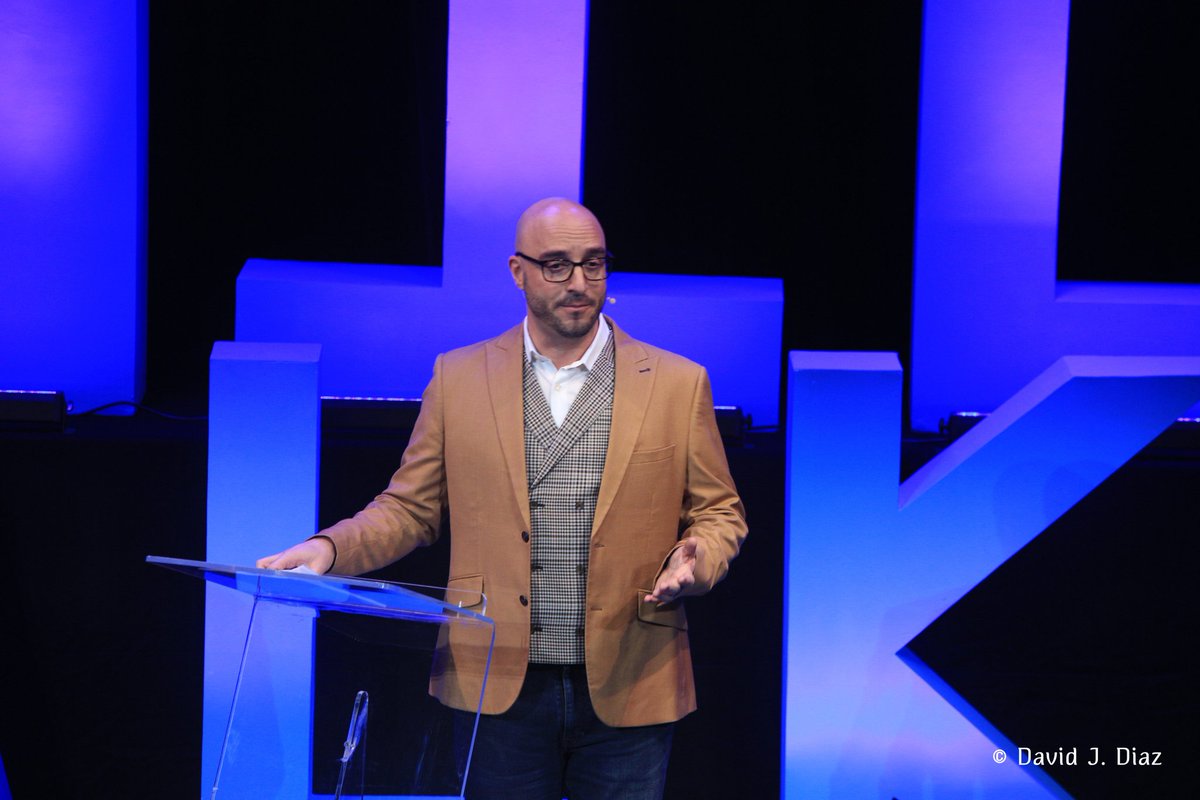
x: 867, y: 572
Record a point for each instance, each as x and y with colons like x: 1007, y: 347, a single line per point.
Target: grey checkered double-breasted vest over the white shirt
x: 565, y: 466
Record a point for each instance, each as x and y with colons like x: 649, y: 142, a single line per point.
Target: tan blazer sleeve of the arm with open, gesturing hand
x: 712, y: 512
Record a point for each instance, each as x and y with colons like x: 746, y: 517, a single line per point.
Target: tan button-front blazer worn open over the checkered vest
x: 665, y: 478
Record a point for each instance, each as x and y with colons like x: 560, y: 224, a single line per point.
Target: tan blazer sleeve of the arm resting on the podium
x: 409, y: 514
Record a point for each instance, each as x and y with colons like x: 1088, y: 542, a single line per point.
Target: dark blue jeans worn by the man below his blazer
x: 551, y: 745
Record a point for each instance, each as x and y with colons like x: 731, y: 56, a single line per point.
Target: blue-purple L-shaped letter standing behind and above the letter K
x: 989, y: 312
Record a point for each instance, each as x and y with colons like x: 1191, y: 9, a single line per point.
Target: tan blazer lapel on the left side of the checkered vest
x: 505, y: 386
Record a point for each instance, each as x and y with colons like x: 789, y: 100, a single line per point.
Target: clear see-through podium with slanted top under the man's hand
x: 370, y: 645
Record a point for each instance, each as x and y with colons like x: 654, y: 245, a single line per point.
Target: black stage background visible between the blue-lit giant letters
x: 718, y: 141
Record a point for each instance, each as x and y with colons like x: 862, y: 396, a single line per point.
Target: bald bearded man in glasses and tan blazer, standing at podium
x: 589, y: 492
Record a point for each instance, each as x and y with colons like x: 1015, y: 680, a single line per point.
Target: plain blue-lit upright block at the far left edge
x: 73, y: 149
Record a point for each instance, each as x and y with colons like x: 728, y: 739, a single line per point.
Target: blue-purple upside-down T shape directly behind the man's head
x: 381, y: 327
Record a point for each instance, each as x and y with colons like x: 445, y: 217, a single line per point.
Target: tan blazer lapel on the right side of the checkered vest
x: 635, y: 372
